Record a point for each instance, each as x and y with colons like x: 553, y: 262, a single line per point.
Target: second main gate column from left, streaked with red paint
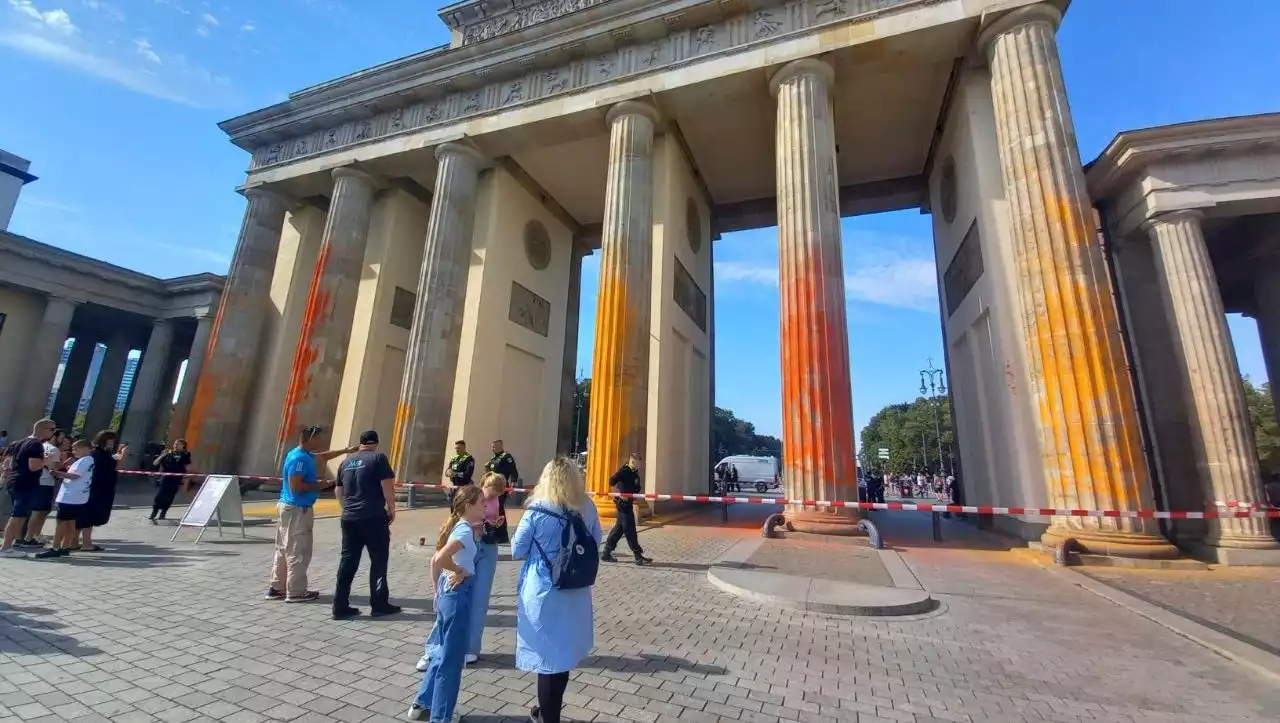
x: 322, y: 353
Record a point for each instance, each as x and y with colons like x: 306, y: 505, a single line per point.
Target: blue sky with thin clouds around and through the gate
x: 117, y: 107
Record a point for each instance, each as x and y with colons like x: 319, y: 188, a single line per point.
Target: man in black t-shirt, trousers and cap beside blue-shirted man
x: 367, y: 491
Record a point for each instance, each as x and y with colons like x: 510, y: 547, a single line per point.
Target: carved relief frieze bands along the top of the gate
x: 519, y: 84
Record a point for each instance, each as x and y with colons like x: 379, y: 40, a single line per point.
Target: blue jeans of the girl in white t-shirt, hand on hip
x: 446, y: 648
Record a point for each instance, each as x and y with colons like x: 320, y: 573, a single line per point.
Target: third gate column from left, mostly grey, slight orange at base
x: 432, y: 361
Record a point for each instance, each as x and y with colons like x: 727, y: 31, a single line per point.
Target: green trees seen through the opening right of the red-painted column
x: 903, y: 429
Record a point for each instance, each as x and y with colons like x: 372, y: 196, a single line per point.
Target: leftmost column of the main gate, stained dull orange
x: 231, y: 361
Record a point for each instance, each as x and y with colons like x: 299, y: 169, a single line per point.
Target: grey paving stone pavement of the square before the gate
x: 176, y: 633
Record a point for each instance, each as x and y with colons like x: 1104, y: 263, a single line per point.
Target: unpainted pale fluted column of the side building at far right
x: 1227, y: 455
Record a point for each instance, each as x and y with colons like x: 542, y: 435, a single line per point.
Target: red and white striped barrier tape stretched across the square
x: 1233, y: 510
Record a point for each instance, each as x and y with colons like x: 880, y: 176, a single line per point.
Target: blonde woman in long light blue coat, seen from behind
x: 555, y: 629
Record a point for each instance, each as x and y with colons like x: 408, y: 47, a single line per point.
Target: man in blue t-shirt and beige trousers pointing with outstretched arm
x: 299, y: 493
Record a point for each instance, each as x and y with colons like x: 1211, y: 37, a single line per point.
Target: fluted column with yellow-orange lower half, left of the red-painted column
x: 620, y: 367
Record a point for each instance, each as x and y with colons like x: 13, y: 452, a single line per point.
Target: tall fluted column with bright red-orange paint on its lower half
x: 817, y: 402
